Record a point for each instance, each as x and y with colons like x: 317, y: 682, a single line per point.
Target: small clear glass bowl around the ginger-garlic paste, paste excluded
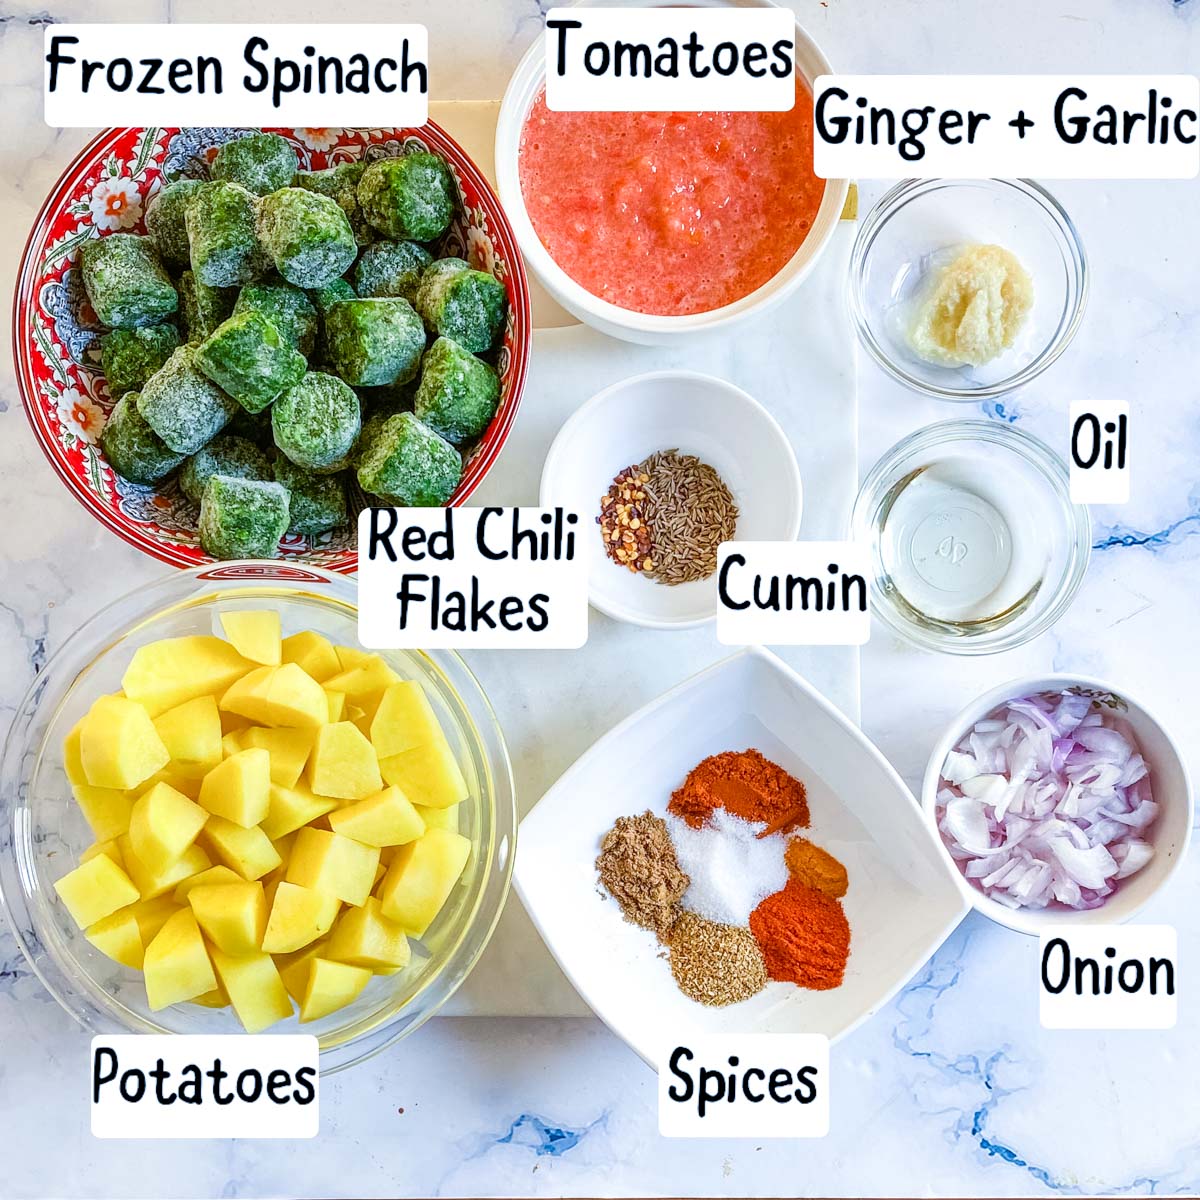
x: 920, y: 223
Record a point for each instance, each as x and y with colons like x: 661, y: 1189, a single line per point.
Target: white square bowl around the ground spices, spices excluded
x: 903, y: 901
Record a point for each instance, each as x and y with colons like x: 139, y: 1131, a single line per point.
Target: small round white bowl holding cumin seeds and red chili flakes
x: 668, y: 466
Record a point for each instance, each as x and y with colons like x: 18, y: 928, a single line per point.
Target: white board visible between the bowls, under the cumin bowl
x: 800, y: 362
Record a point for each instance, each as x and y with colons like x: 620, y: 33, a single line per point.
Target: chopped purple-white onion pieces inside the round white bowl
x: 1047, y: 801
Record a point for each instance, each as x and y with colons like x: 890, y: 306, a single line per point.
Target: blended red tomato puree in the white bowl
x: 670, y: 213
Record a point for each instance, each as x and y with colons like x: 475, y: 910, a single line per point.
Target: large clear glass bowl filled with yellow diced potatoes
x: 220, y: 813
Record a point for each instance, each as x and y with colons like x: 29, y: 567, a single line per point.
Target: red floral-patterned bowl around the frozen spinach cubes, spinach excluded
x: 56, y: 333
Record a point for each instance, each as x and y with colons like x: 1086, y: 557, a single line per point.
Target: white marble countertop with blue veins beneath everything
x: 953, y: 1089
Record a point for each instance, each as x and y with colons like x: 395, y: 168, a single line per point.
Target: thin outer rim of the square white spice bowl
x: 797, y: 681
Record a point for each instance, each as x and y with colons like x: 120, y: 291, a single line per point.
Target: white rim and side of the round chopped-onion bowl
x: 1034, y: 921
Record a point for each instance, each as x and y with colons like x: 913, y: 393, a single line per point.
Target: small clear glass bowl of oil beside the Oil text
x: 992, y: 495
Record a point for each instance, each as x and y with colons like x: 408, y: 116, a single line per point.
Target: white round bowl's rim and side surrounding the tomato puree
x: 574, y: 296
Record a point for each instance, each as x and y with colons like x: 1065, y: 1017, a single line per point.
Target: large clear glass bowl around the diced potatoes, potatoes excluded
x: 43, y: 830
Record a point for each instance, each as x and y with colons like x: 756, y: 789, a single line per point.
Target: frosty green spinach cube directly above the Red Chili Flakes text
x: 407, y: 464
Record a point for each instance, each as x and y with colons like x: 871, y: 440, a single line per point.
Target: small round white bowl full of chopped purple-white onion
x: 1059, y: 800
